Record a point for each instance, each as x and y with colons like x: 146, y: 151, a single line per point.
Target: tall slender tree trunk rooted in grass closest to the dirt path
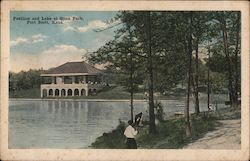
x: 188, y: 127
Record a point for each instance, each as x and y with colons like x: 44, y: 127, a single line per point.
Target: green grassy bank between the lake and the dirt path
x: 170, y: 133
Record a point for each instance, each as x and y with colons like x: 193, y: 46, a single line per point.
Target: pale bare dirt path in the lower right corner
x: 225, y: 136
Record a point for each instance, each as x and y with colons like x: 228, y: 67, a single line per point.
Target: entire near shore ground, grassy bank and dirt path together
x: 208, y: 133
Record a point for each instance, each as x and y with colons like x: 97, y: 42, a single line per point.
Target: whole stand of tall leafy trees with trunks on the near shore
x: 164, y: 43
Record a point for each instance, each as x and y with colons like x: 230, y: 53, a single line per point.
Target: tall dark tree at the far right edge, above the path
x: 229, y: 30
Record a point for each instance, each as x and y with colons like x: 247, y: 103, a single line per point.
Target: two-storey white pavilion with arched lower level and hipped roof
x: 72, y: 79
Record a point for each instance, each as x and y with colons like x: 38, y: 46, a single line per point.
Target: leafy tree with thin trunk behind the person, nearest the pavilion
x: 120, y: 56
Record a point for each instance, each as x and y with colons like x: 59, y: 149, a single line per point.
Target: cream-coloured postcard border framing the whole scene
x: 90, y: 154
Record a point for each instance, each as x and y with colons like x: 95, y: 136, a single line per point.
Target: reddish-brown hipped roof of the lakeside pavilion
x: 74, y: 67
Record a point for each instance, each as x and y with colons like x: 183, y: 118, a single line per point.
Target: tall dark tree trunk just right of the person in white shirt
x: 152, y: 129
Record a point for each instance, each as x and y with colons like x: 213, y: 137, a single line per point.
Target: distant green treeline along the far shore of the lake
x: 31, y: 79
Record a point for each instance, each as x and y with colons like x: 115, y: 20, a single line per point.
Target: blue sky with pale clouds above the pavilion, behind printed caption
x: 35, y: 45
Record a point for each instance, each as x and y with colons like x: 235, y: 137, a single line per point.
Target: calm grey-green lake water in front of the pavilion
x: 72, y: 124
